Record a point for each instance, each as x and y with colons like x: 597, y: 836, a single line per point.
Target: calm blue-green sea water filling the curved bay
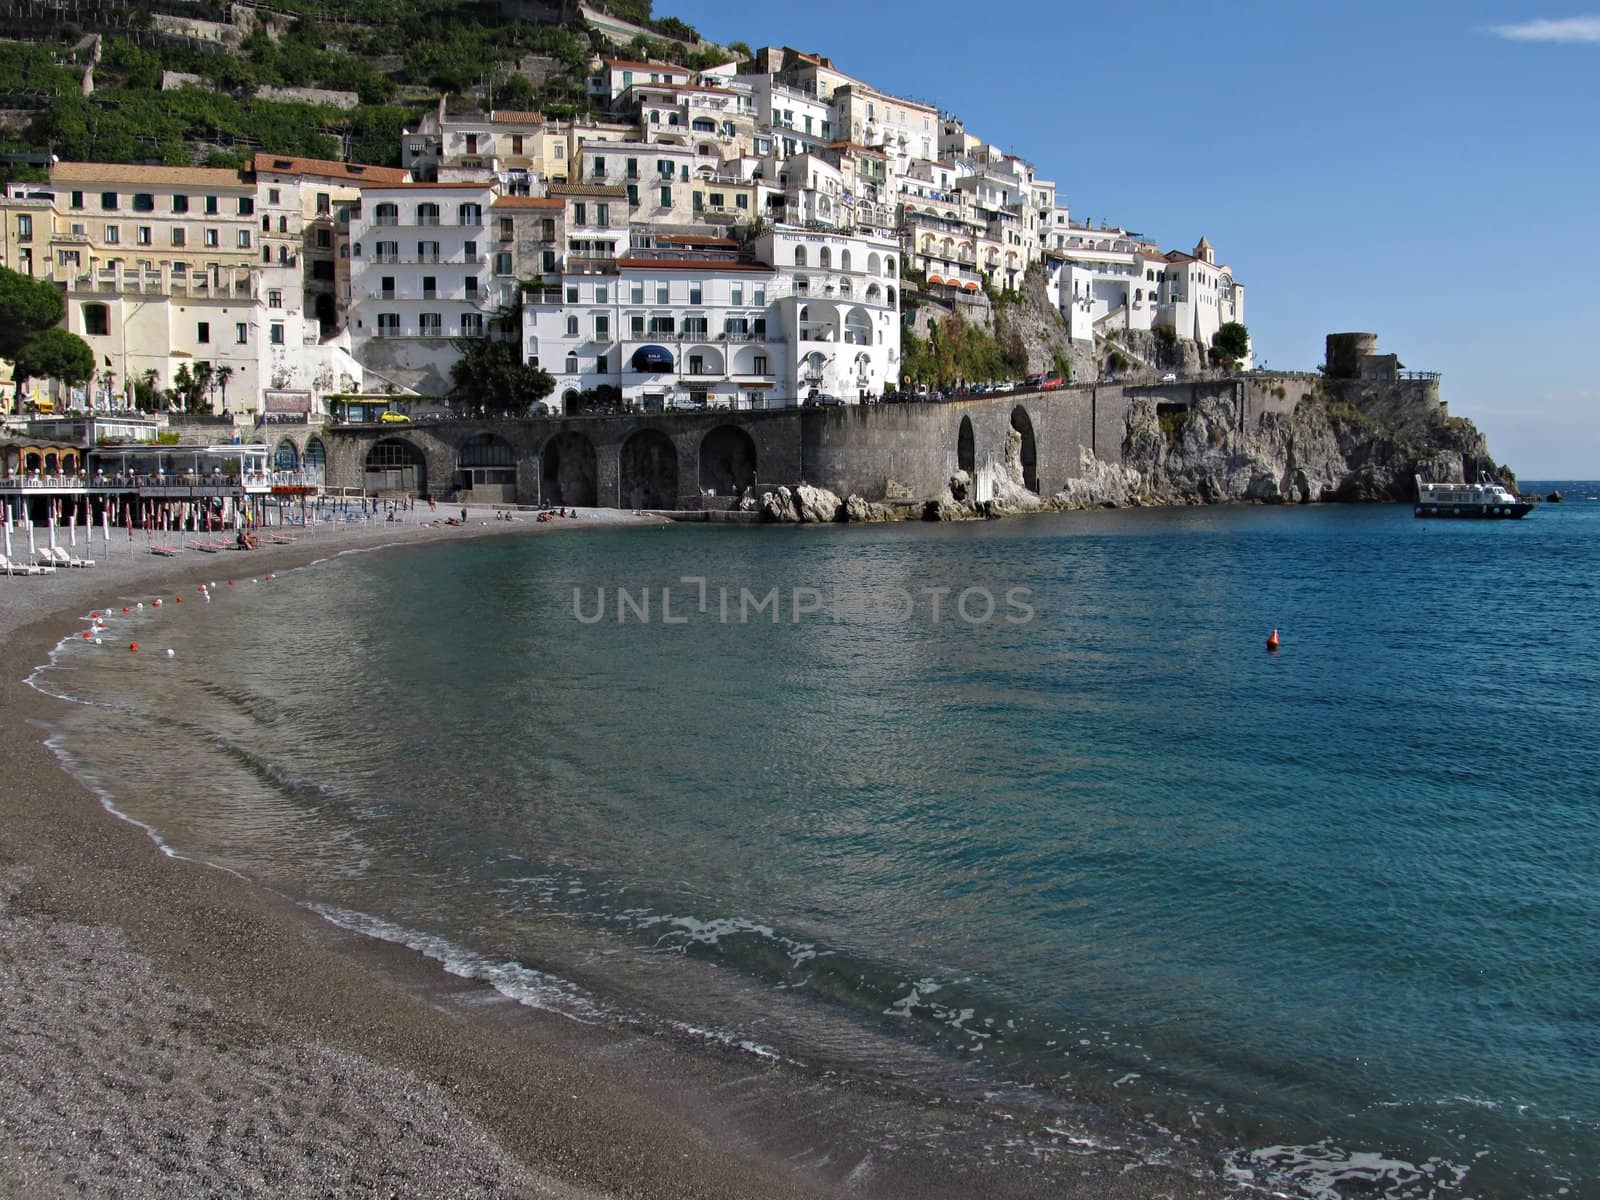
x: 1326, y: 919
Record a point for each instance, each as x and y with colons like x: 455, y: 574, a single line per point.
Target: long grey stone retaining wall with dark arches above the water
x: 702, y: 460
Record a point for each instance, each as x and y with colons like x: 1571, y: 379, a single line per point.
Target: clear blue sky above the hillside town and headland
x: 1423, y: 170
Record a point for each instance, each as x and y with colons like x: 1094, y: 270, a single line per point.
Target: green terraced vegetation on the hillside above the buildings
x: 398, y: 57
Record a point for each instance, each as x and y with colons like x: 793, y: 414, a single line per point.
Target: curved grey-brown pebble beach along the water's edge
x: 156, y: 980
